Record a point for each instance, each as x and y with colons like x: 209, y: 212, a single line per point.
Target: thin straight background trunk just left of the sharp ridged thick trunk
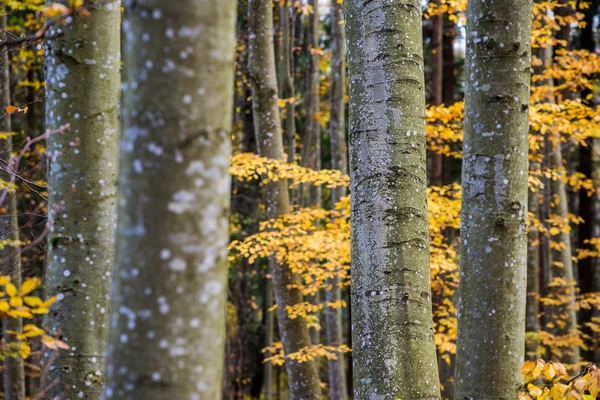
x: 334, y: 332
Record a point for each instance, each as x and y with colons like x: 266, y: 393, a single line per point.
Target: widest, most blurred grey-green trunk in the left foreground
x: 168, y: 307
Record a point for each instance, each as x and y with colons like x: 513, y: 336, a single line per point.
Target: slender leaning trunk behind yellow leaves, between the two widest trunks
x: 303, y: 377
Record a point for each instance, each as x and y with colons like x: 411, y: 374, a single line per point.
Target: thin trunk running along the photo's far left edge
x: 14, y: 376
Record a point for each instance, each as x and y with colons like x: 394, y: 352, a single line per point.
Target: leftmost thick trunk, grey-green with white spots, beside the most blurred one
x: 82, y: 66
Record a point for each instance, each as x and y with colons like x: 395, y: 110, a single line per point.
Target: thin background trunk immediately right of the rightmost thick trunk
x: 532, y: 313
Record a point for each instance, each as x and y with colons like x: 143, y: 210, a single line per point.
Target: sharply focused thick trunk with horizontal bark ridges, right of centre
x: 393, y: 346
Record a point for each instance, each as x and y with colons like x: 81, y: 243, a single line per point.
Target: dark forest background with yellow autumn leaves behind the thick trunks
x: 313, y: 236
